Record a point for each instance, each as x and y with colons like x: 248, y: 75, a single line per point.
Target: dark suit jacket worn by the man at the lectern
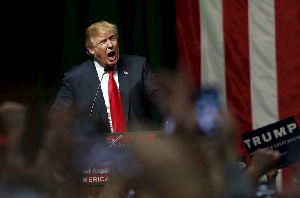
x: 138, y: 87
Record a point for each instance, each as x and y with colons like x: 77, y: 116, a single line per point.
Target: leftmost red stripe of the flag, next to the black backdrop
x: 188, y: 37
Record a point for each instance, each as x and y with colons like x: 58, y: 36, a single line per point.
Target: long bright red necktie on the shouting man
x: 116, y: 109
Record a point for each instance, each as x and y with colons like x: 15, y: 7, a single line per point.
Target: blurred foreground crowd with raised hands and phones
x: 184, y: 163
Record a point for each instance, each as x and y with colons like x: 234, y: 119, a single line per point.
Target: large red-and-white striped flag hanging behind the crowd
x: 250, y: 49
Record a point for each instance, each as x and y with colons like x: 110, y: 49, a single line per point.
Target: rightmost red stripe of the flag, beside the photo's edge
x: 288, y: 63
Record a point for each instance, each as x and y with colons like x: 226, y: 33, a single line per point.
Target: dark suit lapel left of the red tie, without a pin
x: 93, y: 82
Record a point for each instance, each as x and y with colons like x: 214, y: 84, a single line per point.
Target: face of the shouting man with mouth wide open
x: 106, y: 49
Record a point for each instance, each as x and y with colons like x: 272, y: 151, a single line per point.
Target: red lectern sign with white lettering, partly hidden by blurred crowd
x: 112, y: 155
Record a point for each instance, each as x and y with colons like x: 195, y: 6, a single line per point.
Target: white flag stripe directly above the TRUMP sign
x: 263, y: 63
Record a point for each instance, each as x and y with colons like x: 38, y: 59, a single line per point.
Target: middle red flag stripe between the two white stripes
x: 237, y: 63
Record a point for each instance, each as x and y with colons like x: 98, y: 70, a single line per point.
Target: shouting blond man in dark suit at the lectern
x: 84, y: 88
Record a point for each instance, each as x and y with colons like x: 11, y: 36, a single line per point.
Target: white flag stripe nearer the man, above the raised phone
x: 212, y: 45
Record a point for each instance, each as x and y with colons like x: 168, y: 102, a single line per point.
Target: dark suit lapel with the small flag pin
x: 123, y: 77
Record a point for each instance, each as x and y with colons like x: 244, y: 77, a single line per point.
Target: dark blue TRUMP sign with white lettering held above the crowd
x: 282, y: 136
